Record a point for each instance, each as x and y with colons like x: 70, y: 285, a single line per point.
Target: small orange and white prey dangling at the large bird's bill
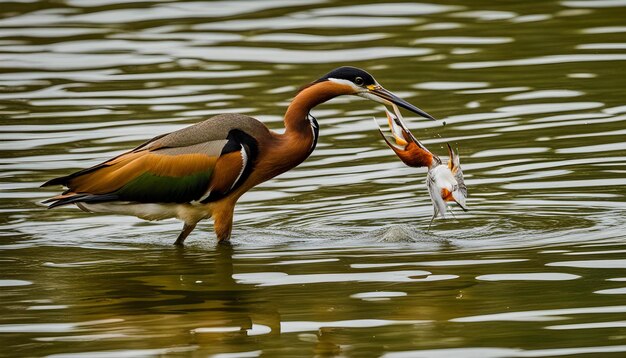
x: 445, y: 182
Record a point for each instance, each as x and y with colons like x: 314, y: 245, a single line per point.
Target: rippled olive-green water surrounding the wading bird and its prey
x: 333, y: 257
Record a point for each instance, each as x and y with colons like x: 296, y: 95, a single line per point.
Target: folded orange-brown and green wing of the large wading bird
x: 161, y: 171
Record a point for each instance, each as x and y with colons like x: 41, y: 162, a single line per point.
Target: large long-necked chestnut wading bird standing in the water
x: 200, y: 171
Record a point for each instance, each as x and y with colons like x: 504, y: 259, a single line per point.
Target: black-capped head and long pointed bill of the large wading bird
x: 355, y: 81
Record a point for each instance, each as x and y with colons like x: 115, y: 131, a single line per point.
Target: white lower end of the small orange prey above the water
x: 446, y: 184
